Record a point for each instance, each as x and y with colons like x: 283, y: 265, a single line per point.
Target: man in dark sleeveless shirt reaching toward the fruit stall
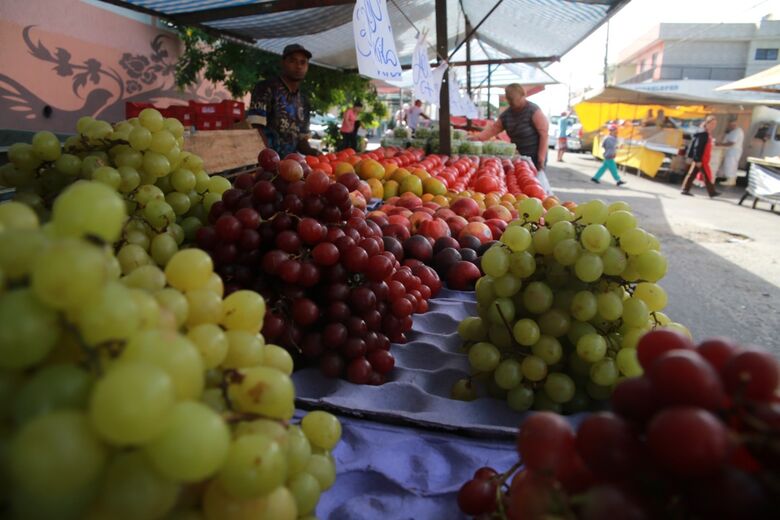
x: 525, y: 124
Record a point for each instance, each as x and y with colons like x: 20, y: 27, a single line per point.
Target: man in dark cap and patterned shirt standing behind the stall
x: 279, y: 110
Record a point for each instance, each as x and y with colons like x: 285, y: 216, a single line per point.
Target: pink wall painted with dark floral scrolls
x: 79, y: 59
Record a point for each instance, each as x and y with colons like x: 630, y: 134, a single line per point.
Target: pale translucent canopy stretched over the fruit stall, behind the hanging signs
x: 540, y: 31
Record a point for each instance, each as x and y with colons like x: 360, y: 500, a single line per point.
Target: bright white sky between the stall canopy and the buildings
x: 582, y: 67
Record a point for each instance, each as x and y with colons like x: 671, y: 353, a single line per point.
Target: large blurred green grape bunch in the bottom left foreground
x: 135, y: 390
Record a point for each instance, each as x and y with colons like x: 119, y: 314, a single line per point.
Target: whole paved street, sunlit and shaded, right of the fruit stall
x: 724, y: 259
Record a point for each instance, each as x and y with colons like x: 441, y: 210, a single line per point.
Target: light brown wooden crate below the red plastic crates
x: 224, y: 150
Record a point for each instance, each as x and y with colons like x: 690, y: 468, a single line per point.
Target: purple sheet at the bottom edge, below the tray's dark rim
x: 400, y: 473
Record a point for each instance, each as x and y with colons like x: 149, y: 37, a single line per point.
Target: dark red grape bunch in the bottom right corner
x: 695, y: 437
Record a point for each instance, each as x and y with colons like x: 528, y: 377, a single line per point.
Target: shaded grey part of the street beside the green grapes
x: 711, y: 295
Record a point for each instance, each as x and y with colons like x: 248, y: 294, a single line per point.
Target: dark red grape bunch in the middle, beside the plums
x: 337, y: 298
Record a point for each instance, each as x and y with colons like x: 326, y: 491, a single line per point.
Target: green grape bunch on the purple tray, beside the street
x: 564, y: 300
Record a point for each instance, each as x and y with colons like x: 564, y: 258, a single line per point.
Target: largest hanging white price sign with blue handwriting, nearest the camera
x: 374, y: 44
